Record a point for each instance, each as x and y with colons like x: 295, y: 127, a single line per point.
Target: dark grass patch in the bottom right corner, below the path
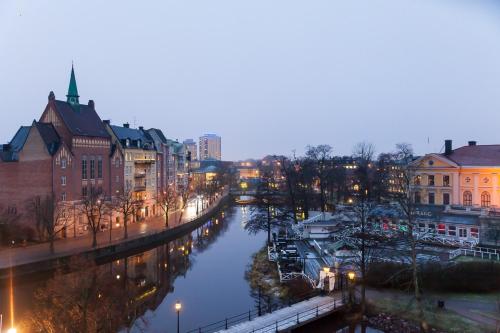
x: 444, y: 320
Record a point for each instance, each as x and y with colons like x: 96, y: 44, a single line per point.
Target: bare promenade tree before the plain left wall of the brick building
x: 50, y: 215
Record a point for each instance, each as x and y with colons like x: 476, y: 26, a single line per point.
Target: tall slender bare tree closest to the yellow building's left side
x: 405, y: 195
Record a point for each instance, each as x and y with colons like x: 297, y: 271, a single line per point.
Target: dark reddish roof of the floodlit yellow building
x: 476, y: 155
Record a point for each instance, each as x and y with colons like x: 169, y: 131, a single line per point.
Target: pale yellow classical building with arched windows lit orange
x: 467, y: 176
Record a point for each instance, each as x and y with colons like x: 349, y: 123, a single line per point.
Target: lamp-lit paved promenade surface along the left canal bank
x: 64, y: 247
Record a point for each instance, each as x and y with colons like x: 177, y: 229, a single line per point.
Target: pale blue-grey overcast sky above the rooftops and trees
x: 269, y: 76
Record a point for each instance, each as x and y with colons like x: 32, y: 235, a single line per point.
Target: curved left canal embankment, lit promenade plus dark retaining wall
x: 37, y: 258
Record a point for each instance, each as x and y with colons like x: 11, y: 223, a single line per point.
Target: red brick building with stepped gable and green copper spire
x: 67, y: 154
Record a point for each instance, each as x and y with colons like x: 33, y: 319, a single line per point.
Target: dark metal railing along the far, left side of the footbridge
x: 247, y: 315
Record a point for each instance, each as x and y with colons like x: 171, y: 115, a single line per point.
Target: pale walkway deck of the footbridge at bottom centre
x: 287, y: 317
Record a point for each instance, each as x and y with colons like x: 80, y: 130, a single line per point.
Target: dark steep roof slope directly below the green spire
x: 81, y: 120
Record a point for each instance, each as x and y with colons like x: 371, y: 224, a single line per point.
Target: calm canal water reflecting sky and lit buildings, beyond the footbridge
x: 204, y: 270
